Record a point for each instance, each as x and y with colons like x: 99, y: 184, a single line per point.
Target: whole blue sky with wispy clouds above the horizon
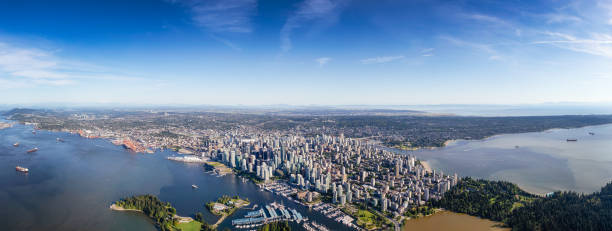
x: 324, y: 52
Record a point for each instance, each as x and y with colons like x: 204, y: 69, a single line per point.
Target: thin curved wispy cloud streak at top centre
x: 308, y: 11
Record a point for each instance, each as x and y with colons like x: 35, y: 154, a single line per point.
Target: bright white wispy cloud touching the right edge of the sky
x: 596, y: 44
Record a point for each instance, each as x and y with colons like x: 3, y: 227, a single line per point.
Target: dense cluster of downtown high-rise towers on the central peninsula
x: 347, y: 170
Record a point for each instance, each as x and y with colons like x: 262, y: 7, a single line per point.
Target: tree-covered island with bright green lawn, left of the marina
x: 163, y: 214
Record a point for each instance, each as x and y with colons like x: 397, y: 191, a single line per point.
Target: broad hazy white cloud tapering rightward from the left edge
x: 26, y: 66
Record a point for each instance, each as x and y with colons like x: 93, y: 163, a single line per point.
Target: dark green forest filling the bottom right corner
x: 506, y: 202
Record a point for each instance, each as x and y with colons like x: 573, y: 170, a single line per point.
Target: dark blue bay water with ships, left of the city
x: 71, y: 185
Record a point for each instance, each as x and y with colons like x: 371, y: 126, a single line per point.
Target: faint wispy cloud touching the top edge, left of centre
x: 222, y: 15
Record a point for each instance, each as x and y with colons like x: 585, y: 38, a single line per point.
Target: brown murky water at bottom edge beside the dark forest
x: 452, y: 221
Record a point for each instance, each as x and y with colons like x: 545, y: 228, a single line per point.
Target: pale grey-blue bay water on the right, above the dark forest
x: 543, y: 161
